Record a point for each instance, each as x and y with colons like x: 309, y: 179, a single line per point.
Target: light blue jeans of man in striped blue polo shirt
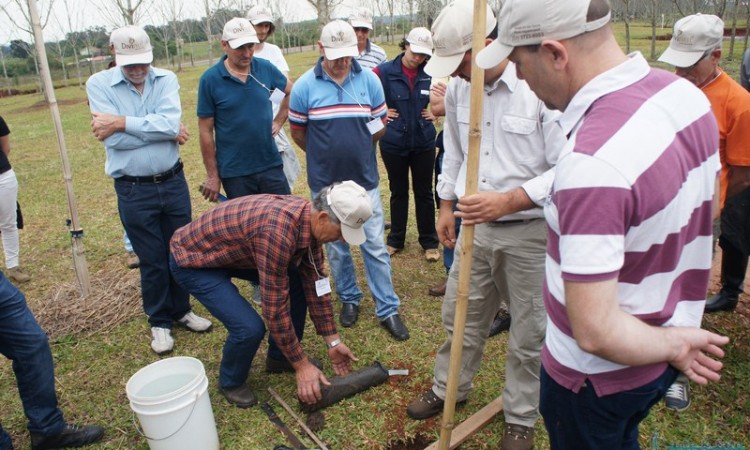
x: 377, y: 265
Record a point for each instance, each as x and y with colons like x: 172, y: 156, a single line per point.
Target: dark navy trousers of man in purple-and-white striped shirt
x: 584, y: 421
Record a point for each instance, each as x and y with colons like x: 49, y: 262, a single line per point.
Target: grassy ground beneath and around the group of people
x: 92, y: 369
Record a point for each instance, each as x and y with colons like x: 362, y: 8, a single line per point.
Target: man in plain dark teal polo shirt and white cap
x: 236, y: 120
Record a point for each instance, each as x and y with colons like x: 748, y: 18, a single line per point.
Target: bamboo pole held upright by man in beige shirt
x: 467, y: 231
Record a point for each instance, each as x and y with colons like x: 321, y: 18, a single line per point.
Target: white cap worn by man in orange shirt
x: 693, y: 36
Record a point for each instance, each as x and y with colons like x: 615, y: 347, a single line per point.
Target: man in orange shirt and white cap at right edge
x: 695, y: 51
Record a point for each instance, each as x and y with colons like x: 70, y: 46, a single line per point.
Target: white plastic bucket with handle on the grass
x: 170, y: 398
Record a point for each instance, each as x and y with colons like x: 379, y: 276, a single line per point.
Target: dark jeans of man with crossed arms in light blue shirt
x: 151, y: 212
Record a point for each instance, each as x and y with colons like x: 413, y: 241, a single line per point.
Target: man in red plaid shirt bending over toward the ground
x: 275, y: 241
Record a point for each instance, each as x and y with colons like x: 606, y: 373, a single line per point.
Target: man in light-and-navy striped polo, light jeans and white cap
x: 336, y: 114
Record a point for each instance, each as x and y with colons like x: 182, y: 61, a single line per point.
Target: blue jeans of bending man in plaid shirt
x: 215, y: 290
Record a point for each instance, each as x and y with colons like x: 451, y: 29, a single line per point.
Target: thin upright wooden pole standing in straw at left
x: 76, y: 232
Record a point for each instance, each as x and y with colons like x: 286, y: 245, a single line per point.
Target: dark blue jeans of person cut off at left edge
x: 24, y: 342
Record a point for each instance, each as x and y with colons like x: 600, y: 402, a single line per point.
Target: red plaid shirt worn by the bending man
x: 267, y: 233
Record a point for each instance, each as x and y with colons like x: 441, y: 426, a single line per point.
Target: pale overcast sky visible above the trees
x: 86, y: 13
